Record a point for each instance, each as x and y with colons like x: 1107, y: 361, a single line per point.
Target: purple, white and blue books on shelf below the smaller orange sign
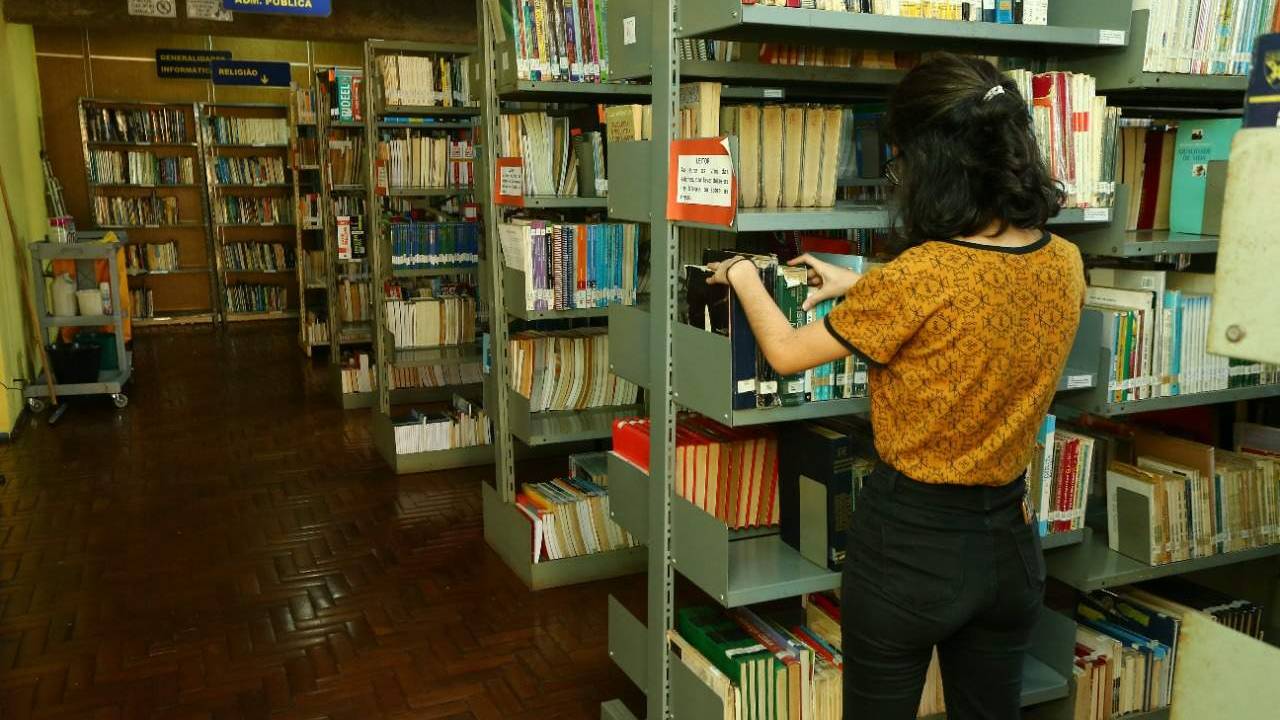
x: 574, y: 266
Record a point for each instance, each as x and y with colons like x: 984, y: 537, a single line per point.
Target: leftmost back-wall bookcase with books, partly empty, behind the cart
x: 144, y: 167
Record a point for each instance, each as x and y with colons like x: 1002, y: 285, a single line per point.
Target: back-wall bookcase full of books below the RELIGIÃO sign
x: 253, y: 209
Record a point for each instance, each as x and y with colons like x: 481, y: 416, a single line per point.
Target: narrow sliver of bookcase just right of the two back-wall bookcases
x: 312, y: 257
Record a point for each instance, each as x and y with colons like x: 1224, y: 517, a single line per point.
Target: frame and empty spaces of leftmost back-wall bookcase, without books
x: 186, y: 294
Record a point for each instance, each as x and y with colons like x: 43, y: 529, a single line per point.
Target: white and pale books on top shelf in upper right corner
x: 1205, y: 37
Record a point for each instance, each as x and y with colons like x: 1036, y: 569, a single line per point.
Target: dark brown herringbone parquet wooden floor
x: 232, y: 546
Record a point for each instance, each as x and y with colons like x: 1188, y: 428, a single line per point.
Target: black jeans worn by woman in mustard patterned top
x: 939, y: 566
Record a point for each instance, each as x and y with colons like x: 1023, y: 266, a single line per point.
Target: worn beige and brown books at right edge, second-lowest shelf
x: 1172, y: 499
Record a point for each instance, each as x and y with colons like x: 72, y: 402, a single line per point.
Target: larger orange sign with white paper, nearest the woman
x: 703, y: 184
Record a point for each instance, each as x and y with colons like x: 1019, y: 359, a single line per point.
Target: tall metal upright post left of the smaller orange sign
x: 500, y: 331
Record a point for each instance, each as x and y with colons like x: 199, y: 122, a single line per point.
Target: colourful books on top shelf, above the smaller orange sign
x: 559, y: 40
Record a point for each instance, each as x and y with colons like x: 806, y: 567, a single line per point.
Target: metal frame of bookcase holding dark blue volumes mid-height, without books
x: 433, y: 117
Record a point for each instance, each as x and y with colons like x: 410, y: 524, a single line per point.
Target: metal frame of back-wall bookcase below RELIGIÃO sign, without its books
x: 227, y: 233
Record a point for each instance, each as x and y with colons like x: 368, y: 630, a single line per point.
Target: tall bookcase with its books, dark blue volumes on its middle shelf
x: 428, y: 315
